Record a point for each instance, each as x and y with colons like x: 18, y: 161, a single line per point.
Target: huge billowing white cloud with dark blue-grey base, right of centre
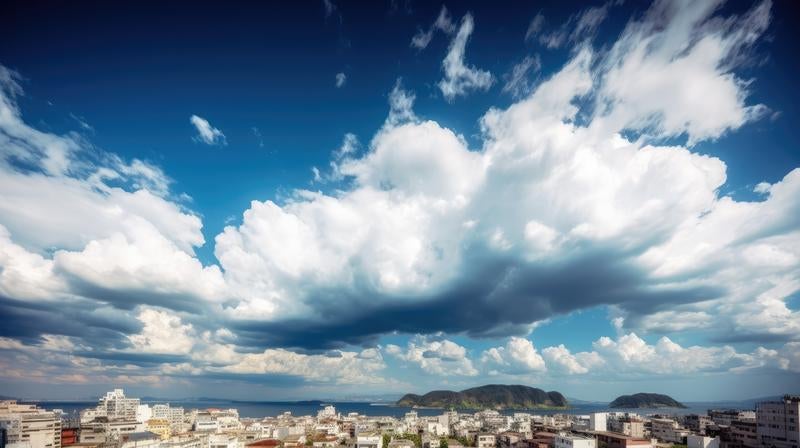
x: 557, y: 211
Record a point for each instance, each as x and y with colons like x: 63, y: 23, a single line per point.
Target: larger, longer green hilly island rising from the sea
x: 492, y: 396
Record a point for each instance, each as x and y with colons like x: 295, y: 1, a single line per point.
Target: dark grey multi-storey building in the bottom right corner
x: 777, y: 421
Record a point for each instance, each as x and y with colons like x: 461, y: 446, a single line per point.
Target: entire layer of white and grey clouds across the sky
x: 587, y: 191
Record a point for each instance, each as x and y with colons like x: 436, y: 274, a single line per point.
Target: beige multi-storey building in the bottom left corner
x: 30, y: 426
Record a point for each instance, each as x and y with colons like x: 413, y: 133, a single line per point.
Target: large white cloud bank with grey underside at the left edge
x: 83, y: 232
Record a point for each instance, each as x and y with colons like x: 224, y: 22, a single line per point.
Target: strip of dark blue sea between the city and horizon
x: 258, y: 409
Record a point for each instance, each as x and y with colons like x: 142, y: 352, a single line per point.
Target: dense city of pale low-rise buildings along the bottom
x: 125, y: 422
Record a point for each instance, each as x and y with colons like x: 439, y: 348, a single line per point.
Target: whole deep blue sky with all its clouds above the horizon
x: 363, y: 199
